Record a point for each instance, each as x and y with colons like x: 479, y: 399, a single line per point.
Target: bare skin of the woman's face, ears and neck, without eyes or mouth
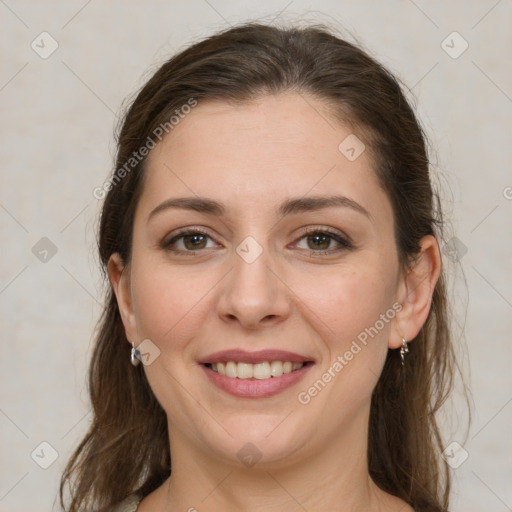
x: 252, y: 157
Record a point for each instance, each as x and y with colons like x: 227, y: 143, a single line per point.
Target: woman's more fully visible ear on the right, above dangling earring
x: 415, y: 291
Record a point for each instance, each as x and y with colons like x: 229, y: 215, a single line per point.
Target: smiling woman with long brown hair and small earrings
x: 270, y: 235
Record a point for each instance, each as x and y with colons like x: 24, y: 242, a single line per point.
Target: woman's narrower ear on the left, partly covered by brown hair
x: 119, y: 276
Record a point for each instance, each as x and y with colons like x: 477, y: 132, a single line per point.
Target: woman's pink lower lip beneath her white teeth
x: 256, y: 388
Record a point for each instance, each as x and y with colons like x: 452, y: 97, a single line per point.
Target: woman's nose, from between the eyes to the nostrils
x: 253, y: 295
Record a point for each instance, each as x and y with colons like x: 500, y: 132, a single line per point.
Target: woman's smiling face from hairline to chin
x: 301, y: 259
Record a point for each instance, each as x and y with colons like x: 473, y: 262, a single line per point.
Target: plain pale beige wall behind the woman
x: 58, y: 115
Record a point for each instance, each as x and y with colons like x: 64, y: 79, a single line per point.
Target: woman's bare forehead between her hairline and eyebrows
x: 254, y: 154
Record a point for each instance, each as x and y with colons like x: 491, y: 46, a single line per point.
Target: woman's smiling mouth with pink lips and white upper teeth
x: 259, y: 374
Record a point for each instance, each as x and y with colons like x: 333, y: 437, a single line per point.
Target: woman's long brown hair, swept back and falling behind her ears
x: 126, y: 449
